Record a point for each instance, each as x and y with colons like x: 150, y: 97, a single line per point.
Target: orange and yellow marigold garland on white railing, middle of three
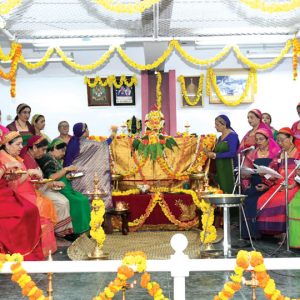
x: 137, y: 259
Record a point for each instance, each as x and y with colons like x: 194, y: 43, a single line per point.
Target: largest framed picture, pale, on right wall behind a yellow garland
x: 232, y: 83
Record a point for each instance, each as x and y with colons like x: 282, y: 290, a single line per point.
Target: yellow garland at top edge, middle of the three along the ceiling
x: 131, y: 8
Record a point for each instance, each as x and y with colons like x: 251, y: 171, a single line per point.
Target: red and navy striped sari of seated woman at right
x: 272, y: 218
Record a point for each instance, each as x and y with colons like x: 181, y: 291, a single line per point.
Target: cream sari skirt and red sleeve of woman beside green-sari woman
x: 62, y: 206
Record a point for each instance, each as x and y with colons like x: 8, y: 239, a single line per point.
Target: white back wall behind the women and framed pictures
x: 60, y: 93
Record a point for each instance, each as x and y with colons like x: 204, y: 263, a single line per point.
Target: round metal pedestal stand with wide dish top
x: 226, y: 201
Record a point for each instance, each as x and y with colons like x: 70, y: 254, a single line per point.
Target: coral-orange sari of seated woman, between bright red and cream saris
x: 24, y: 189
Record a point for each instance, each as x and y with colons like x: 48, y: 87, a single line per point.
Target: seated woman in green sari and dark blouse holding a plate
x: 52, y: 168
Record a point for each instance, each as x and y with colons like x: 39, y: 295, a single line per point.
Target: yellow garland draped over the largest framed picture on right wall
x: 212, y: 83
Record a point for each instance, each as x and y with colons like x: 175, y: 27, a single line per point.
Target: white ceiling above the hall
x: 51, y: 21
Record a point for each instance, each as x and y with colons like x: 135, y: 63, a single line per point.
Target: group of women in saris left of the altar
x: 34, y: 210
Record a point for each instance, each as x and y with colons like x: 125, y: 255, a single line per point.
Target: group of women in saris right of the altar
x: 265, y: 205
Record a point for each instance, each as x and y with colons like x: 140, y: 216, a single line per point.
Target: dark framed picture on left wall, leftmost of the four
x: 98, y: 95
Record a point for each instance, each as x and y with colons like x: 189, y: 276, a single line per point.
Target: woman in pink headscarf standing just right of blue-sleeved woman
x: 255, y: 121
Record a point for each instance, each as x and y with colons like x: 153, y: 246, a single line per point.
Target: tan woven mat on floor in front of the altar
x: 156, y: 244
